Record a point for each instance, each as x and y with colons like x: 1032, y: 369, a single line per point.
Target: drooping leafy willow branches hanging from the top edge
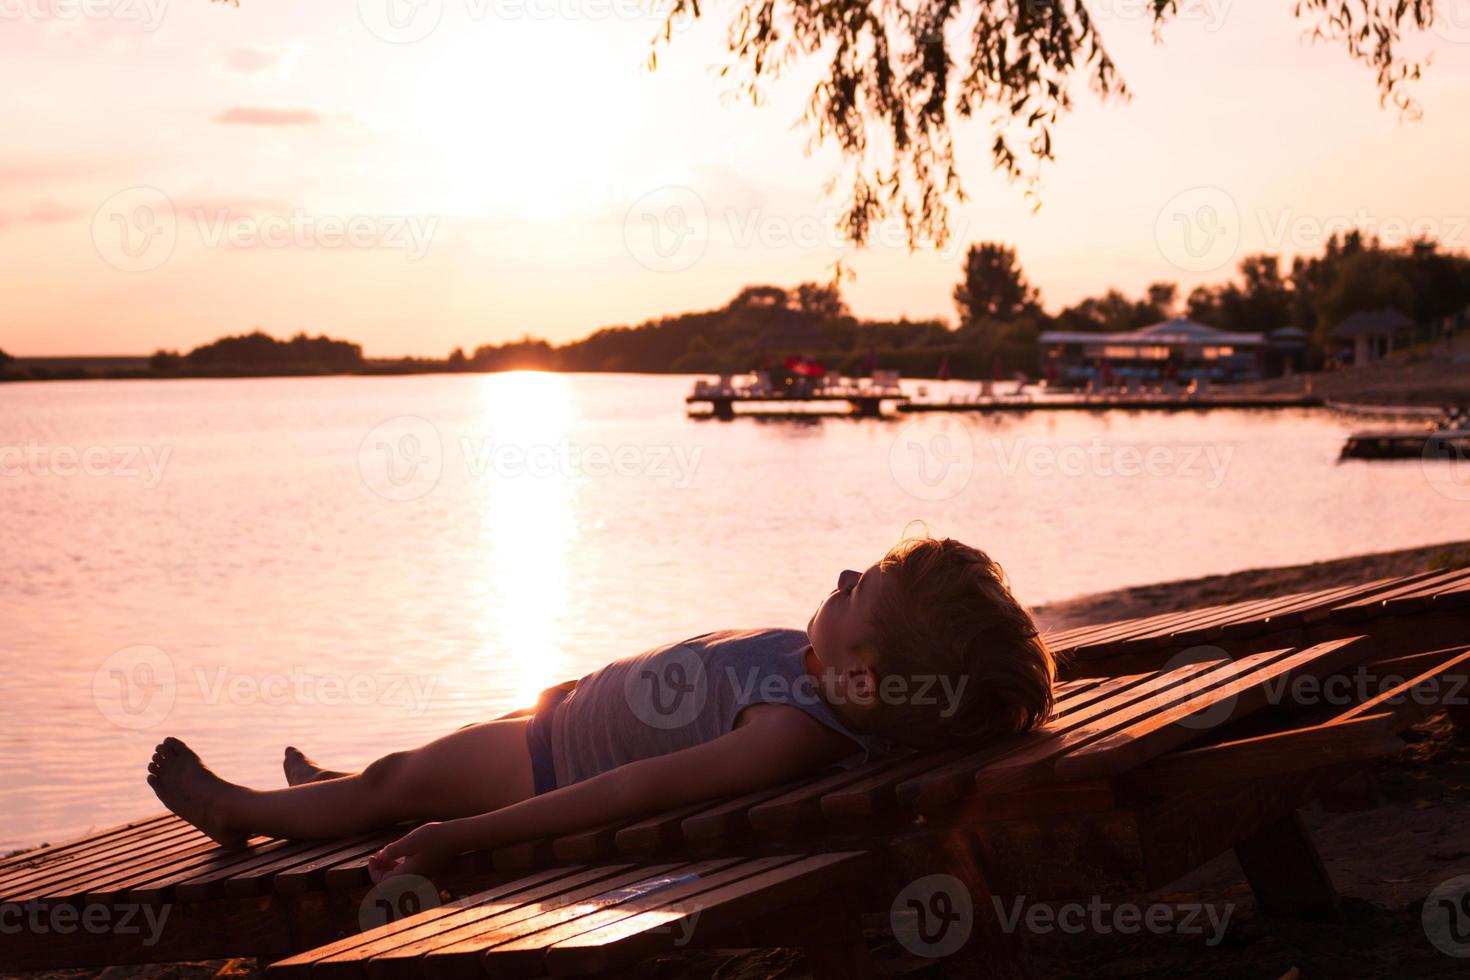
x: 899, y: 73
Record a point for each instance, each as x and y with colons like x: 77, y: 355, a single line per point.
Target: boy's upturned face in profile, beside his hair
x: 840, y: 633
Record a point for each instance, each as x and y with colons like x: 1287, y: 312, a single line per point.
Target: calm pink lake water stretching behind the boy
x: 356, y: 565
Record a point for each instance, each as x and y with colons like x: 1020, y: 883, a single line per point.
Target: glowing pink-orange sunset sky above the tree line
x: 180, y: 170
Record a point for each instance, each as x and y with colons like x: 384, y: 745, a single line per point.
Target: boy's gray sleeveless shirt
x: 686, y: 694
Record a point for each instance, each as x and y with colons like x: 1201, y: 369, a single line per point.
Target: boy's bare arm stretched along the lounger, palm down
x: 774, y: 746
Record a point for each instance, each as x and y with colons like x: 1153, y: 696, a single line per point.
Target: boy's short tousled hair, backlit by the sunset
x: 947, y: 613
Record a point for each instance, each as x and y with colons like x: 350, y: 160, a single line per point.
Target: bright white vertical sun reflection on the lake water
x: 528, y: 524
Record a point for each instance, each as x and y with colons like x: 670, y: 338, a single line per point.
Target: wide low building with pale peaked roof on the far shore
x: 1177, y: 349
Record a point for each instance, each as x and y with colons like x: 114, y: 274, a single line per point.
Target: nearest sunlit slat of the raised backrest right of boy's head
x: 1164, y: 729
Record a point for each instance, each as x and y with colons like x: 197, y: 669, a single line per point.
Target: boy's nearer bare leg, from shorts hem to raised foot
x: 471, y: 772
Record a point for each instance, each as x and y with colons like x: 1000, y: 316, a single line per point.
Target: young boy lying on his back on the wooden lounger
x: 928, y: 647
